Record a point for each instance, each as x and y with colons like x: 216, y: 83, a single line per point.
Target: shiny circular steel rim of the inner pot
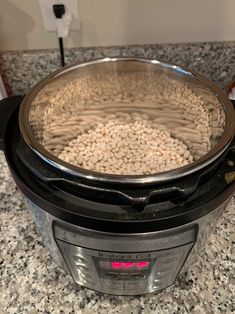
x: 161, y: 177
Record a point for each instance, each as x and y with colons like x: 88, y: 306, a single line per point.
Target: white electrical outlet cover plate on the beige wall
x: 49, y: 19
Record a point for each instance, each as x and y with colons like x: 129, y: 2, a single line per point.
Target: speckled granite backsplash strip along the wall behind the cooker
x: 22, y: 69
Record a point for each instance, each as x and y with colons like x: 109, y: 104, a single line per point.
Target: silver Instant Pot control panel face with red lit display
x: 124, y: 273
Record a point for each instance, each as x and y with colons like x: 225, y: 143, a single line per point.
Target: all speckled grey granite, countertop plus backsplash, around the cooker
x: 30, y: 282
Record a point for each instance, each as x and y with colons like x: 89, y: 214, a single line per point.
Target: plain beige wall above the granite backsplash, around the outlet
x: 120, y: 22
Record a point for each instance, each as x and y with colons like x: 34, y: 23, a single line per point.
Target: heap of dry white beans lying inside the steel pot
x: 126, y: 149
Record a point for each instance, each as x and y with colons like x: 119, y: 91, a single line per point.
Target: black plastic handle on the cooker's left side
x: 7, y: 107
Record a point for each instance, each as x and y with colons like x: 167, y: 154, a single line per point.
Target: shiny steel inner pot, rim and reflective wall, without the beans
x: 75, y: 100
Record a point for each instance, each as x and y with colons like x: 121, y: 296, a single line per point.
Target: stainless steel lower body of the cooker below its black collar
x: 123, y: 264
